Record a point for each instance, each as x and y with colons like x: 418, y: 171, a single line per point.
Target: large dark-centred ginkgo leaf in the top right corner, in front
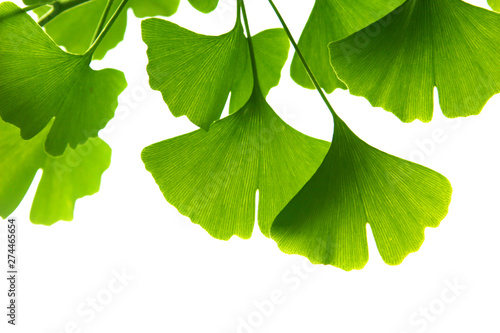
x: 447, y: 44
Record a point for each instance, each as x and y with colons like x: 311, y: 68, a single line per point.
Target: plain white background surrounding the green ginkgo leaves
x: 186, y: 281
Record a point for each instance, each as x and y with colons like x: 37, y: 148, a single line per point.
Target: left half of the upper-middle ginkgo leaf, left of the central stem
x: 194, y: 72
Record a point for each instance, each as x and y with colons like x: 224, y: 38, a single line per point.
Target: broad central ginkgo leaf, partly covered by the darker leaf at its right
x: 212, y: 177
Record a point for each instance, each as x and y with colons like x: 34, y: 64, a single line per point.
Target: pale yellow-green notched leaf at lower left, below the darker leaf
x: 65, y: 179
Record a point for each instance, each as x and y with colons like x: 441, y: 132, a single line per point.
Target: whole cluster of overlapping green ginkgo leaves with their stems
x: 315, y: 197
